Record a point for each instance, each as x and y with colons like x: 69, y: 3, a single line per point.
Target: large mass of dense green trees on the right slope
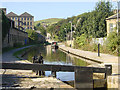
x: 91, y: 23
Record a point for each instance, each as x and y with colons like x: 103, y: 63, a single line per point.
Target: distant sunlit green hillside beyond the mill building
x: 47, y: 22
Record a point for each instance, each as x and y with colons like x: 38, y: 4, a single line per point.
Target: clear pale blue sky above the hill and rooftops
x: 45, y: 10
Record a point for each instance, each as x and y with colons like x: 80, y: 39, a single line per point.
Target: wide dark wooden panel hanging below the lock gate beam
x: 83, y: 79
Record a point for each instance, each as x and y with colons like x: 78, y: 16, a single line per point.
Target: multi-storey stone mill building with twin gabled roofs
x: 23, y: 21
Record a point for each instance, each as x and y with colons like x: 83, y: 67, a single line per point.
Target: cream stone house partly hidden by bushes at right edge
x: 112, y: 23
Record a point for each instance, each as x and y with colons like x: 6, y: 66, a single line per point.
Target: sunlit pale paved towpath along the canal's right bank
x: 104, y: 58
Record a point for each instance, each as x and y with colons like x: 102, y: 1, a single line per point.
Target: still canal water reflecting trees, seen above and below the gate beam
x: 57, y: 57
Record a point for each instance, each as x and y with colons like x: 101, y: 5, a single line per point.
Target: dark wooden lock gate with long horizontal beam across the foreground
x: 83, y: 75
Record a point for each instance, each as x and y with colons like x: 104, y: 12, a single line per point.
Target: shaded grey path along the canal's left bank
x: 8, y: 56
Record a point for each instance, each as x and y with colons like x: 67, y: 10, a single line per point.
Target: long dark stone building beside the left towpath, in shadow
x: 15, y: 36
